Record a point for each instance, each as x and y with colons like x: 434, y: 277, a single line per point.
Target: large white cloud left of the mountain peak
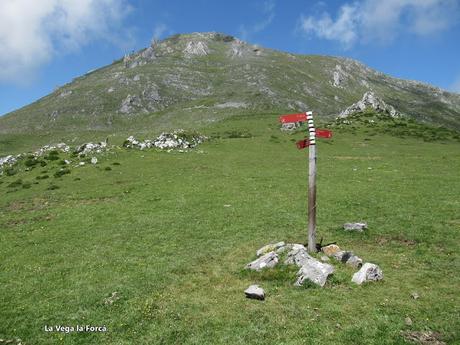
x: 32, y: 32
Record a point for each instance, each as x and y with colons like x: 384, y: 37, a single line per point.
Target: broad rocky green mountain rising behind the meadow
x: 189, y: 80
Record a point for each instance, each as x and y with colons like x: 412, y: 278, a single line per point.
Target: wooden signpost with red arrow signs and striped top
x: 309, y: 142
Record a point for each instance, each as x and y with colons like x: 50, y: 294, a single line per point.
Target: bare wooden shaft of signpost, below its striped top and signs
x: 312, y: 198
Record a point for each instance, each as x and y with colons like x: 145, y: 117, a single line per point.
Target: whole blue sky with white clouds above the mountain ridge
x: 46, y: 43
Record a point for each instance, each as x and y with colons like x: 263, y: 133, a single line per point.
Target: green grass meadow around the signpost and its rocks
x: 155, y: 230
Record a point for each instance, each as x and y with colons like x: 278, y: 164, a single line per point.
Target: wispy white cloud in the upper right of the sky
x: 383, y: 20
